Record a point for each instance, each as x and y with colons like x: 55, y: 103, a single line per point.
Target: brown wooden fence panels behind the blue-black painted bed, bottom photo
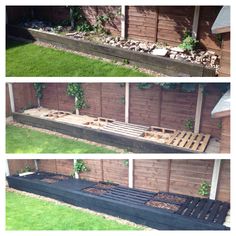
x: 179, y: 176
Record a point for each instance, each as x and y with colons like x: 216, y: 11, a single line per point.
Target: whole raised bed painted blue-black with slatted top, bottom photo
x: 166, y: 211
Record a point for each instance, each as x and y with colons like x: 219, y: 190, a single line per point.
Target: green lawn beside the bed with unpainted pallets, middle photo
x: 23, y: 140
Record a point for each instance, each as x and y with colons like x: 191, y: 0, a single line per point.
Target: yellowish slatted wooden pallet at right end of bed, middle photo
x: 189, y: 140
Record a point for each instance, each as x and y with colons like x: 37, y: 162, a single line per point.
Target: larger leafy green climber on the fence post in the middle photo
x: 75, y: 90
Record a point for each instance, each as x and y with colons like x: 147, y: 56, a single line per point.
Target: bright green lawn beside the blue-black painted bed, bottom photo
x: 28, y: 213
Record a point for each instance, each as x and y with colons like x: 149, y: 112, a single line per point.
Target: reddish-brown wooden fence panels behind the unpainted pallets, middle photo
x: 152, y: 106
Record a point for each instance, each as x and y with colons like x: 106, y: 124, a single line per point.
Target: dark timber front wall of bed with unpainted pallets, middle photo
x: 132, y: 144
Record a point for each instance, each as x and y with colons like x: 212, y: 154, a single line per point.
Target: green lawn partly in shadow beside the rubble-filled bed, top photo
x: 26, y: 59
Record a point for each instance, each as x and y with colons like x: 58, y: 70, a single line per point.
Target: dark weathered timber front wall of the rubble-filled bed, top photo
x: 159, y: 64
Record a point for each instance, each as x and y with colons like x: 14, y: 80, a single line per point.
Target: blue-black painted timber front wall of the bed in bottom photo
x: 141, y: 214
